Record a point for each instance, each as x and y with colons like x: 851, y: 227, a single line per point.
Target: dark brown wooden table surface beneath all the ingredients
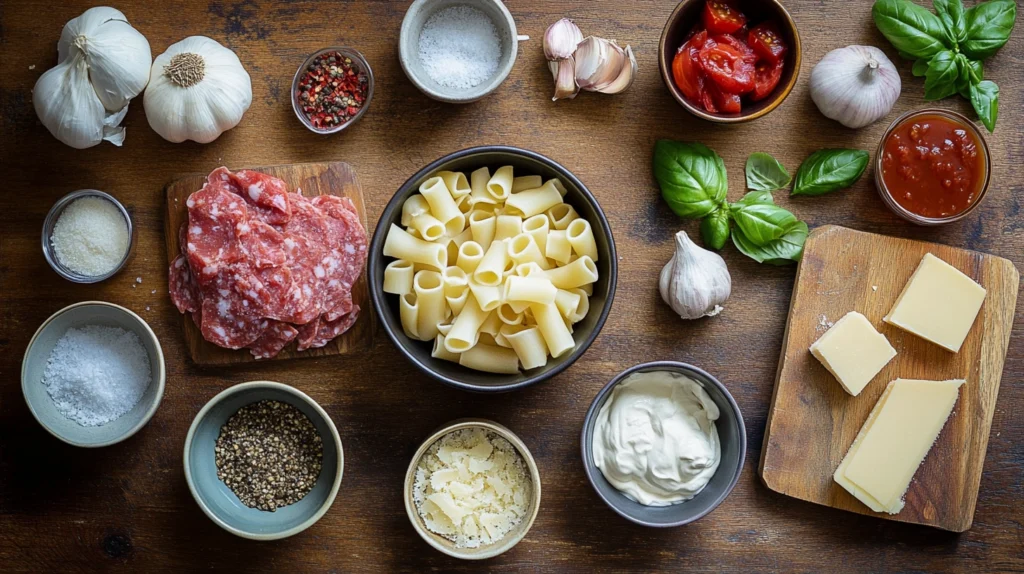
x: 129, y: 507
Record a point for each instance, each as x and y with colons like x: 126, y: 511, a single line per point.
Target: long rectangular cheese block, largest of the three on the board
x: 894, y: 441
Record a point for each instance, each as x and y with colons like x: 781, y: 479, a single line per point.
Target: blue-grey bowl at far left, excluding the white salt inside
x: 42, y: 344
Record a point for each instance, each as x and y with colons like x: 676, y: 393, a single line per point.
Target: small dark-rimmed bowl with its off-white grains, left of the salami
x: 88, y: 237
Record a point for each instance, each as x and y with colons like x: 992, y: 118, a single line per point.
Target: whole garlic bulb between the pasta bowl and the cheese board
x: 696, y: 283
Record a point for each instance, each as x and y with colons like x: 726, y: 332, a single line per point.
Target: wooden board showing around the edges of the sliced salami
x: 335, y: 179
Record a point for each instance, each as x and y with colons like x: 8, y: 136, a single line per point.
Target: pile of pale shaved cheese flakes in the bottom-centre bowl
x: 472, y: 488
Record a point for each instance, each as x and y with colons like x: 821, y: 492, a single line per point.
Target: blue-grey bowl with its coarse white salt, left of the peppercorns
x: 94, y: 374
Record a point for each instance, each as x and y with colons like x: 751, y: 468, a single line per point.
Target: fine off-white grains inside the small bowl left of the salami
x: 91, y: 238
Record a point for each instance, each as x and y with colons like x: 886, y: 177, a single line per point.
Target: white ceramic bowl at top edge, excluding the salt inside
x: 409, y: 49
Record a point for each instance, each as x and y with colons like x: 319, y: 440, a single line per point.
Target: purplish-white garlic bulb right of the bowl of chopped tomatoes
x: 857, y: 85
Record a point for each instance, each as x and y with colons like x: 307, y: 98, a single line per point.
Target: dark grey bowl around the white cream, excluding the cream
x: 732, y: 434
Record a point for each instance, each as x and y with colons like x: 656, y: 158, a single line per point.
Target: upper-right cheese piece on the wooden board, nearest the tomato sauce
x: 940, y: 303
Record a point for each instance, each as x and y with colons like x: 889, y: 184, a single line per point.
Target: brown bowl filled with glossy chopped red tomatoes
x: 730, y: 61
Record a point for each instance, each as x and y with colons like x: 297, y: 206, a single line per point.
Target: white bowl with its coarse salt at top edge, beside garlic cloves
x: 458, y: 52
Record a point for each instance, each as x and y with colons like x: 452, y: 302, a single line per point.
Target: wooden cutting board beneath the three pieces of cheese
x: 813, y: 421
